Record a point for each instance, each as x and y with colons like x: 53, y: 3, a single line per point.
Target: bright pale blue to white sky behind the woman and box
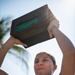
x: 63, y: 10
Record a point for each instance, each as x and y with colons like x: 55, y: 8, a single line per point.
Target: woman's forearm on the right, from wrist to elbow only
x: 63, y: 41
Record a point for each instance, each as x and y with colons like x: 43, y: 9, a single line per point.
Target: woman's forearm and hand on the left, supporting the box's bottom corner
x: 5, y: 48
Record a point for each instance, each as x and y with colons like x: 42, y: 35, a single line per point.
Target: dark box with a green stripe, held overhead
x: 31, y: 28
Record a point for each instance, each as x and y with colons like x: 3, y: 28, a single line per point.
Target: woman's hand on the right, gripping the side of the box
x: 53, y: 24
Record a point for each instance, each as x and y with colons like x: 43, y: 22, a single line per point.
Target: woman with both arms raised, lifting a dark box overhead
x: 44, y: 64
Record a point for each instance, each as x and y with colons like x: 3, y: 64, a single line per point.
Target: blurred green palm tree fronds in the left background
x: 19, y: 52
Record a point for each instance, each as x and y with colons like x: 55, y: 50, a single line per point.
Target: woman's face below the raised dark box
x: 43, y: 65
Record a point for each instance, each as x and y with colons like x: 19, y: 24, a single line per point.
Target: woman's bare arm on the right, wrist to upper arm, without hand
x: 68, y: 50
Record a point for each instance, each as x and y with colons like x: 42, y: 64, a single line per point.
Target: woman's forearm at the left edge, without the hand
x: 5, y: 48
